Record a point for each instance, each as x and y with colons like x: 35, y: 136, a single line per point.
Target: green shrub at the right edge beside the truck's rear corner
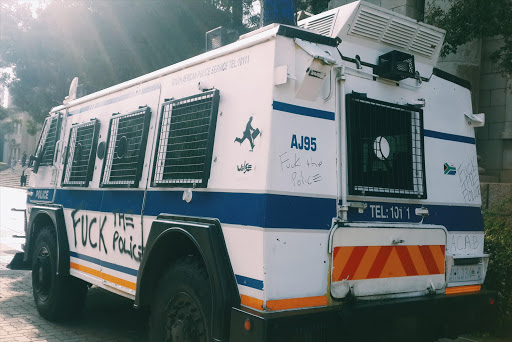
x: 498, y: 244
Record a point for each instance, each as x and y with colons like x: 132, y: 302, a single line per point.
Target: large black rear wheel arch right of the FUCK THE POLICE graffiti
x: 172, y: 237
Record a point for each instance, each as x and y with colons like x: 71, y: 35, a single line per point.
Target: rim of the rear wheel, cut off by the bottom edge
x: 184, y: 320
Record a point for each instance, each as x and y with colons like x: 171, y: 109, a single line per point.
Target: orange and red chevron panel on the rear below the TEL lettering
x: 373, y: 262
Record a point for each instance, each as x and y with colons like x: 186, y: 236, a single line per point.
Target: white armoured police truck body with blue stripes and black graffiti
x: 301, y: 229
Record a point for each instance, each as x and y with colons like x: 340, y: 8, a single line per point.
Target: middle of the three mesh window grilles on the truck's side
x: 126, y: 146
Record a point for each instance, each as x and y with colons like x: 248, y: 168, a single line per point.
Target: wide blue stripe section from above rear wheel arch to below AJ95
x: 260, y: 210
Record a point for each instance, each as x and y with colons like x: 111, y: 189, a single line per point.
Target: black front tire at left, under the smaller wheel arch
x: 60, y: 296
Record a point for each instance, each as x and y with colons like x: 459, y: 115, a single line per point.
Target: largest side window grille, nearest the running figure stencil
x: 185, y: 141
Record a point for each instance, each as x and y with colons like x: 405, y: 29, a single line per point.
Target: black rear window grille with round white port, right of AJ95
x: 385, y: 144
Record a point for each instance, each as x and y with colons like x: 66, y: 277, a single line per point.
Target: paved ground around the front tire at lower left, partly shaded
x: 106, y: 317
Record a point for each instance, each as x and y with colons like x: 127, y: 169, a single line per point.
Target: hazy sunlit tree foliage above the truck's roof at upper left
x: 101, y: 42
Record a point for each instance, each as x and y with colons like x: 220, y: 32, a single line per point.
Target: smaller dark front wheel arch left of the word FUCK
x: 44, y: 217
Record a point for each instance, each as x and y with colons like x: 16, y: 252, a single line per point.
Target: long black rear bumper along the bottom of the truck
x: 408, y: 319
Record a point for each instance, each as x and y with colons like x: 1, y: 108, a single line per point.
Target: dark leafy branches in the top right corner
x: 467, y: 20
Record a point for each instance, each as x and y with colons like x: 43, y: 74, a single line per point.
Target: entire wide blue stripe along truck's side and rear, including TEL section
x: 261, y: 210
